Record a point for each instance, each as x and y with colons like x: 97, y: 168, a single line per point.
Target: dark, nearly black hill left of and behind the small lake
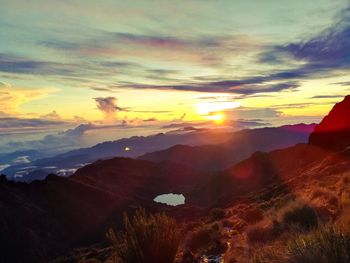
x: 43, y: 219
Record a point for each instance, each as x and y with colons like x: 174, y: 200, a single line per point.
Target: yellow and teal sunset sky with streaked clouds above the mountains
x: 133, y: 67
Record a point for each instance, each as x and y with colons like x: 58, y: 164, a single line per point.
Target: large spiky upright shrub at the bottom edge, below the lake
x: 145, y: 238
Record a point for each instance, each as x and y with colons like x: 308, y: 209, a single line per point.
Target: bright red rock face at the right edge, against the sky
x: 334, y: 130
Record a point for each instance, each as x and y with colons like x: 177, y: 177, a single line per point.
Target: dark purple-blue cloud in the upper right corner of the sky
x: 327, y: 52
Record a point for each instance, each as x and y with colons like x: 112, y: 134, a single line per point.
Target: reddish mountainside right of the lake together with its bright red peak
x: 274, y: 171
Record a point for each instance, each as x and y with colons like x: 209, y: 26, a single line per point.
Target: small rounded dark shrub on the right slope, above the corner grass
x: 303, y: 217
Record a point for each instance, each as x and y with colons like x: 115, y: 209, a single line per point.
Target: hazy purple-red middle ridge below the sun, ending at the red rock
x: 239, y: 147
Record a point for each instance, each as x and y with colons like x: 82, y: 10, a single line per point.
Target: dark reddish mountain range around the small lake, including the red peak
x: 45, y: 219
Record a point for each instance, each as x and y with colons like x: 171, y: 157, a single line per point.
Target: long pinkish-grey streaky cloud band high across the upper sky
x: 204, y: 49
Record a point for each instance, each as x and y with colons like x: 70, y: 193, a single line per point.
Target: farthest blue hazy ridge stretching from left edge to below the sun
x: 67, y: 163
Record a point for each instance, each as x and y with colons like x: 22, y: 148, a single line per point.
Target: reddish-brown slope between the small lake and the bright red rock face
x: 267, y: 172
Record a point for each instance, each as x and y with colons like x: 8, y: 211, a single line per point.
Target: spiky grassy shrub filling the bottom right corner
x: 325, y: 245
